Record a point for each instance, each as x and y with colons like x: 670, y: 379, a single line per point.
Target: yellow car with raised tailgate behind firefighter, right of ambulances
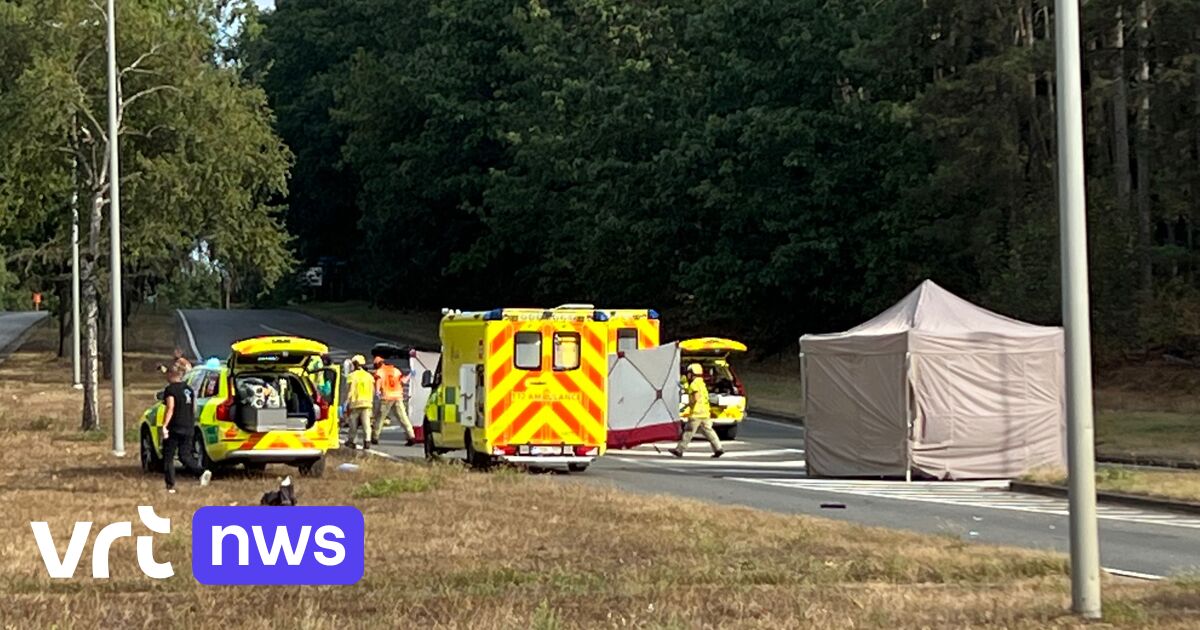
x: 727, y: 393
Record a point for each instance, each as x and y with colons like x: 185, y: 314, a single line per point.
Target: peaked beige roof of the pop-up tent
x: 933, y: 310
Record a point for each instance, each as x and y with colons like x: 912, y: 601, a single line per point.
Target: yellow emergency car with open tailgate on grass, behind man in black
x: 262, y: 406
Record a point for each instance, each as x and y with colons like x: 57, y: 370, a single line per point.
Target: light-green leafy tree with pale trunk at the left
x: 201, y: 164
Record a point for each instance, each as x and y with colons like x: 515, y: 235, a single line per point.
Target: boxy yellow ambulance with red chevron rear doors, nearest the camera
x: 524, y: 386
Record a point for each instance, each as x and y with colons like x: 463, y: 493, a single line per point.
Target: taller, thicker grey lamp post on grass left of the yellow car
x: 115, y: 183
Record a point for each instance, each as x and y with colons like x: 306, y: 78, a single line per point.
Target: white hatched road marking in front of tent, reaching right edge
x: 987, y: 495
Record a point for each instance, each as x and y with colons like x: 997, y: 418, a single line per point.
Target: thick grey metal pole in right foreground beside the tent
x: 1085, y: 549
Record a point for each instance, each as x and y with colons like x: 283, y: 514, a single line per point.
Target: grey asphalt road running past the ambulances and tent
x: 765, y: 470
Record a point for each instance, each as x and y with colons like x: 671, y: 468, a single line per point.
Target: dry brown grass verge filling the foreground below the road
x: 453, y: 549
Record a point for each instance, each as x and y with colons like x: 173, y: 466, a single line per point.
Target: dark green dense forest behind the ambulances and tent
x: 751, y: 167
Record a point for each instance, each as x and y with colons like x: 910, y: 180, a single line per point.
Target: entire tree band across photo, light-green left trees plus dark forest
x: 757, y: 169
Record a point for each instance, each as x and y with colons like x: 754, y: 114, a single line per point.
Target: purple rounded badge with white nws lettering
x: 271, y: 545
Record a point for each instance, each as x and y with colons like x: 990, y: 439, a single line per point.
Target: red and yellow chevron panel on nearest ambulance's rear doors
x: 547, y: 407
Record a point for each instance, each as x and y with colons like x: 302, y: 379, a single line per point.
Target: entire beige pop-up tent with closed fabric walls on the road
x: 935, y: 386
